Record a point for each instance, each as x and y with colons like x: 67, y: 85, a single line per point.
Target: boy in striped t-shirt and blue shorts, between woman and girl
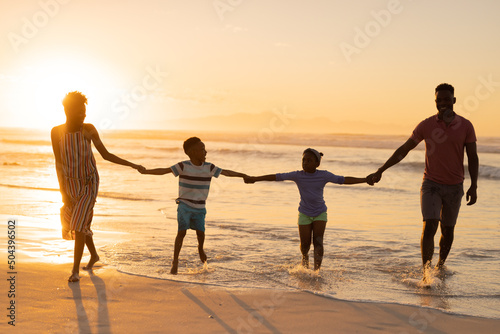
x: 194, y: 183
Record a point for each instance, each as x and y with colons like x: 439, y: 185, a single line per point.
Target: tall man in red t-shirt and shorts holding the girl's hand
x: 446, y: 135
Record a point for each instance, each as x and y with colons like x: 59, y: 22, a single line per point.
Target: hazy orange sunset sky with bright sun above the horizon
x: 143, y: 64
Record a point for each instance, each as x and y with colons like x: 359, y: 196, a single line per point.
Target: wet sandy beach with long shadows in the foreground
x: 107, y: 301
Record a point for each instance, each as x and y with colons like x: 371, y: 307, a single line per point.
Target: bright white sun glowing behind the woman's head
x: 46, y: 84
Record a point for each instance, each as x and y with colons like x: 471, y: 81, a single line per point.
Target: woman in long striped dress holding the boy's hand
x: 78, y: 177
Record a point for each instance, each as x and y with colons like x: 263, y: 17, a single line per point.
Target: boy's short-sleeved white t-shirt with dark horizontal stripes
x: 194, y: 182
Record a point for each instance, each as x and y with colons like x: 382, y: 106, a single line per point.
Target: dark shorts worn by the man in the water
x: 441, y: 201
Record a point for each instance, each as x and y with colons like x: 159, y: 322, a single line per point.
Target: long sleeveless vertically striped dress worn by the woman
x: 81, y: 183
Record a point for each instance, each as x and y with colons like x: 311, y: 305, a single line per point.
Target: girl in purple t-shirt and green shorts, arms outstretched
x: 312, y: 207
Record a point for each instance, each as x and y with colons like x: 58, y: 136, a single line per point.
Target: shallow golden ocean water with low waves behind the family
x: 372, y: 239
